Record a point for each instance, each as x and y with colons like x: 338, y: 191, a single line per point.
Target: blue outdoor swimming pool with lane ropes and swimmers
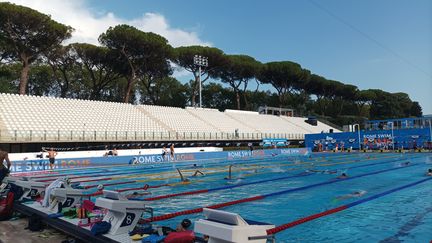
x: 307, y: 186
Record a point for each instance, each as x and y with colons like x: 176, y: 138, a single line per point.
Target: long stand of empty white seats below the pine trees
x: 36, y: 118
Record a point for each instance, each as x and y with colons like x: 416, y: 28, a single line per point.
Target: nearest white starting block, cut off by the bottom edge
x: 224, y: 227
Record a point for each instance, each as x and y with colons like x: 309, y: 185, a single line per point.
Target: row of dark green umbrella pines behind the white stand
x: 135, y: 66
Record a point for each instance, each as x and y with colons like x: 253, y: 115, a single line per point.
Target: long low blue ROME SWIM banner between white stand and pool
x: 198, y: 158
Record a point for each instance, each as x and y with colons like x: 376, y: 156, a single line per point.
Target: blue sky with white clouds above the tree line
x: 373, y: 44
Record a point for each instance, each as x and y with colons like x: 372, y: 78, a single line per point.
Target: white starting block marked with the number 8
x: 123, y: 214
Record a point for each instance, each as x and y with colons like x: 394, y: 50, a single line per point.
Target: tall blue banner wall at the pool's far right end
x: 406, y: 138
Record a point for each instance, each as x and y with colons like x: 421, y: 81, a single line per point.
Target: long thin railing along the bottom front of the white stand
x: 20, y: 136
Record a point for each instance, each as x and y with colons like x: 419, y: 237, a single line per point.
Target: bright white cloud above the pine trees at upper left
x: 89, y: 25
